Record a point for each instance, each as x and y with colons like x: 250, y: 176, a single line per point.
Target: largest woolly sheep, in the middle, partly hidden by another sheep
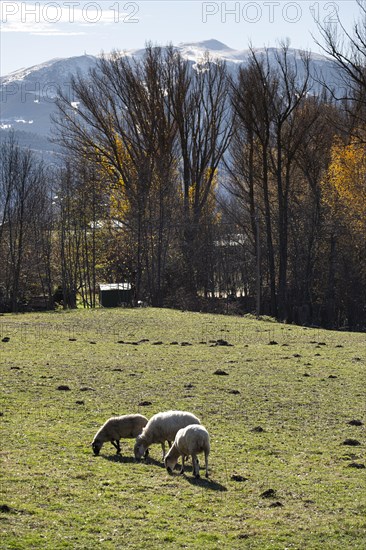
x: 162, y: 427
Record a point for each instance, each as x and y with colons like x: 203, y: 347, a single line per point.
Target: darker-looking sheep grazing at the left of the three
x: 128, y: 426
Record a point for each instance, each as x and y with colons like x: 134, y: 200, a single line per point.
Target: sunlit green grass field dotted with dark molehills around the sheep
x: 281, y: 475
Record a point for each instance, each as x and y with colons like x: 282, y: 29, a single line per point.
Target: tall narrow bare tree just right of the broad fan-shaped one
x: 200, y: 109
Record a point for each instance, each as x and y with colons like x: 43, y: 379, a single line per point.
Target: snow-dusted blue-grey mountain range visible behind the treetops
x: 28, y: 94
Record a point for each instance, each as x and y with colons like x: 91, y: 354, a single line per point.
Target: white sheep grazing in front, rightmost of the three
x: 189, y: 441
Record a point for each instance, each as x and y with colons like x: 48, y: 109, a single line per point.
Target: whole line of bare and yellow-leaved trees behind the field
x: 196, y: 184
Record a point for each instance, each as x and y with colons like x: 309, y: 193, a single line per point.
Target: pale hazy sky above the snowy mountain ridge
x: 33, y: 32
